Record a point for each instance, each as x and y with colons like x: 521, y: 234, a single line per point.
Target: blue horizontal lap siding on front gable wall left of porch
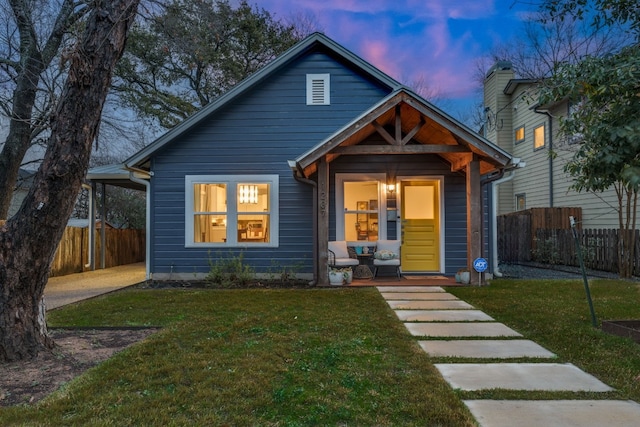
x: 255, y: 134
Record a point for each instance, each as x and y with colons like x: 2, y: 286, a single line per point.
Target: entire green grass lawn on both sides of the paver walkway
x: 317, y: 357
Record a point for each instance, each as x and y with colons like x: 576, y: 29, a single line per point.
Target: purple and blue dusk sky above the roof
x: 438, y: 41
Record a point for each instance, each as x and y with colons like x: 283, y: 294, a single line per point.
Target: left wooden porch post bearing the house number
x: 323, y: 221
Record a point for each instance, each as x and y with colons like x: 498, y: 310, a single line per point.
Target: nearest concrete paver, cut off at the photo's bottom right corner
x: 565, y: 413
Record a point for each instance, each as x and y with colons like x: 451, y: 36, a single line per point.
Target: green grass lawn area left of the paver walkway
x: 249, y: 358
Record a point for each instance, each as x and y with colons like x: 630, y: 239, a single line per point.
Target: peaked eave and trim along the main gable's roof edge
x: 314, y: 42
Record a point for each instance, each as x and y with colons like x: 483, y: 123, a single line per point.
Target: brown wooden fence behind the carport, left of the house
x: 122, y: 247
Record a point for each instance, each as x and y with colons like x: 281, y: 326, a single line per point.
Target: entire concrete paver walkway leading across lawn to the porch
x: 440, y: 320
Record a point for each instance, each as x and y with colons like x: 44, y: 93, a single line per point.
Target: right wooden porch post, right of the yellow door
x: 474, y: 216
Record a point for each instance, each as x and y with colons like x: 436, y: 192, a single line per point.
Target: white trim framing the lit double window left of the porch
x: 231, y: 181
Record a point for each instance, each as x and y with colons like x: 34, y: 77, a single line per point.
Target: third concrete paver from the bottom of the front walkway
x: 494, y: 349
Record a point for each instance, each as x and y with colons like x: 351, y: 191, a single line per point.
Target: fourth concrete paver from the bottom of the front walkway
x: 461, y: 329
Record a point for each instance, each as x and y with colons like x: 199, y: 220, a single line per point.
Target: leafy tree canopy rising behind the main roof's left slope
x: 192, y: 51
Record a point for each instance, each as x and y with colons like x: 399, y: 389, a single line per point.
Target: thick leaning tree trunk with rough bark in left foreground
x: 28, y: 240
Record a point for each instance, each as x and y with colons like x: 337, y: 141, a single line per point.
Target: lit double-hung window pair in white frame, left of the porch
x: 228, y: 210
